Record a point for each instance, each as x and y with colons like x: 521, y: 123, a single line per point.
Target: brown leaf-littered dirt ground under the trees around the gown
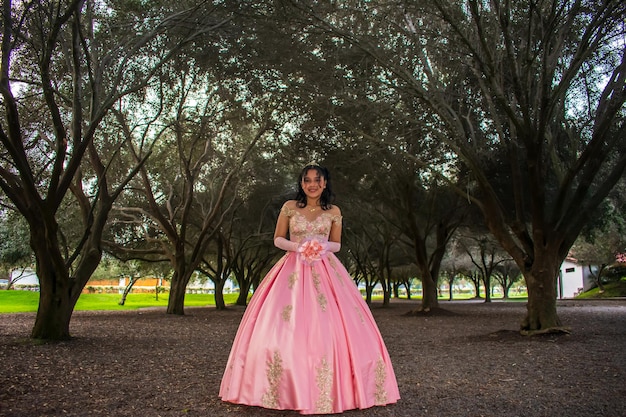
x: 472, y: 362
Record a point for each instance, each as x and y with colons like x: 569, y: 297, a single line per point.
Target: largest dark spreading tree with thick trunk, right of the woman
x: 540, y: 86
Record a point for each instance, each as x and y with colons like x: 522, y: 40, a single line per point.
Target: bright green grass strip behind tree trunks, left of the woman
x: 27, y: 301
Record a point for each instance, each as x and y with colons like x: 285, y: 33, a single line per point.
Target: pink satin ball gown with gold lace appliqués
x: 307, y: 340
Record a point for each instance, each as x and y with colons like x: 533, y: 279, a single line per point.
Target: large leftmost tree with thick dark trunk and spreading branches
x: 64, y: 66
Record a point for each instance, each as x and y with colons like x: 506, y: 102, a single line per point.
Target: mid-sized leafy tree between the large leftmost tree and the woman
x: 187, y: 194
